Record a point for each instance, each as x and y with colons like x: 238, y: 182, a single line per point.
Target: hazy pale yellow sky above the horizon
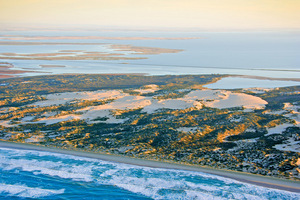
x: 201, y: 14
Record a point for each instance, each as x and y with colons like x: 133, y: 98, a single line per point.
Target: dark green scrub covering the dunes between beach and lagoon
x: 221, y: 138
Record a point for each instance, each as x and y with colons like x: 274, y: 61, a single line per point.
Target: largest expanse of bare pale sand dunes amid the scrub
x: 123, y: 101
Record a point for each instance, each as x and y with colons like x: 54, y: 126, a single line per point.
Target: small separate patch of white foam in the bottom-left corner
x: 26, y: 192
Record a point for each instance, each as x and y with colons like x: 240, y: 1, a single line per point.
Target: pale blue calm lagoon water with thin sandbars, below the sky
x: 271, y: 54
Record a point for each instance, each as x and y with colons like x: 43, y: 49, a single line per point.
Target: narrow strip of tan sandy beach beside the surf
x: 259, y: 180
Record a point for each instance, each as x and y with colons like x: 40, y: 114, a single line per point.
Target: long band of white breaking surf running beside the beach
x: 152, y: 182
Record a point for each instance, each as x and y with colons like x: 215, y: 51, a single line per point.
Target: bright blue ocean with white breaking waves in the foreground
x: 26, y: 174
